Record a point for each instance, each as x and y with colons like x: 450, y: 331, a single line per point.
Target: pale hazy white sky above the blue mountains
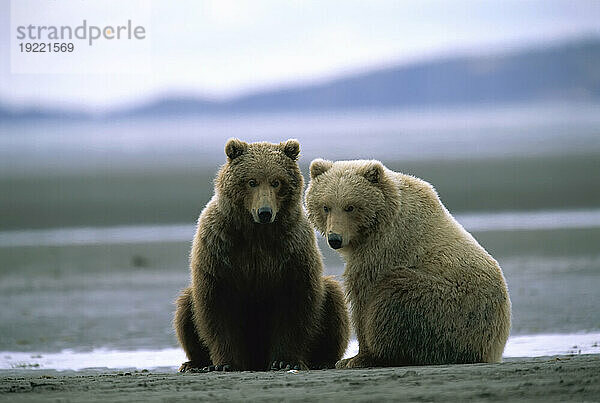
x: 223, y: 48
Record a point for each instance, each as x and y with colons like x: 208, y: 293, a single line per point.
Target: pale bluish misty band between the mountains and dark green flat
x: 411, y: 135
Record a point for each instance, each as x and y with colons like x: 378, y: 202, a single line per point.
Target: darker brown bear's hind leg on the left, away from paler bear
x: 187, y: 335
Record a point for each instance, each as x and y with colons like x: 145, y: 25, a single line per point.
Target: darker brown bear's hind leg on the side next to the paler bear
x: 333, y: 330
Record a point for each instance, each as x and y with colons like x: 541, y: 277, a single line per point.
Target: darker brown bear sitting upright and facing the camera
x: 258, y: 299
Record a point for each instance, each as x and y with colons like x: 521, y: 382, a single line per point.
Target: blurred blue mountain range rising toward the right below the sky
x: 561, y: 72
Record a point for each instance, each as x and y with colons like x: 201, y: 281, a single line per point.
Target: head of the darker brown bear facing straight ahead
x: 260, y: 182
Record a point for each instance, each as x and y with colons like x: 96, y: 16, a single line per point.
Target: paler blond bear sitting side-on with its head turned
x: 422, y: 290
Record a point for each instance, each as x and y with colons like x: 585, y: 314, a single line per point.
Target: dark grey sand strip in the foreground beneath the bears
x: 559, y: 378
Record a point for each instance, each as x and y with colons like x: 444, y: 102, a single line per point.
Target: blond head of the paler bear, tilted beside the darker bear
x: 346, y: 200
